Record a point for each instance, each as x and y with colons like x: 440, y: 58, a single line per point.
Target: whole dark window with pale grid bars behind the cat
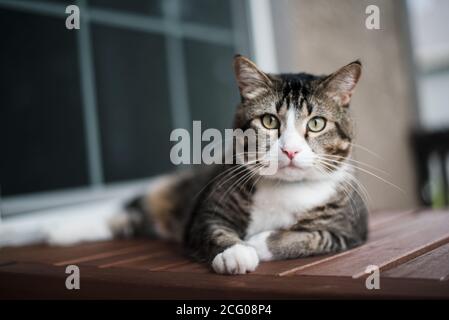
x: 87, y: 112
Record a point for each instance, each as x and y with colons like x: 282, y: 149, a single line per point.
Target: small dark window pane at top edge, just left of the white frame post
x: 211, y: 12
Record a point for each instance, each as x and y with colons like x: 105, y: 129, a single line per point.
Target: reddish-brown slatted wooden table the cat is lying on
x: 410, y: 248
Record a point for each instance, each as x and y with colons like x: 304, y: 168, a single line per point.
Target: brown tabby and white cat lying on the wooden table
x: 232, y: 216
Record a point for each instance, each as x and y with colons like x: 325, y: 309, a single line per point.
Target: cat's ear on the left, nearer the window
x: 252, y: 81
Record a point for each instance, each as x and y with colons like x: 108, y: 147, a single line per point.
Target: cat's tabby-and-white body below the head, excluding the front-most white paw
x: 193, y: 206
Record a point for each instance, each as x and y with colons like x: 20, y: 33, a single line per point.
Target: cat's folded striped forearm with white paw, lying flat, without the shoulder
x: 287, y: 244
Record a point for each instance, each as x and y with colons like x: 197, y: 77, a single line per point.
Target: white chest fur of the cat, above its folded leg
x: 279, y: 205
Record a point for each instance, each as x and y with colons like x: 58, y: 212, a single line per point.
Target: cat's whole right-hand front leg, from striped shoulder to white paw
x: 331, y: 228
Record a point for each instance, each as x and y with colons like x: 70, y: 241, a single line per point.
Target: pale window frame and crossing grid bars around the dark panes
x: 251, y: 21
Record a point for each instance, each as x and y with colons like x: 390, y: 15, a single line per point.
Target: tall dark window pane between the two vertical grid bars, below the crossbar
x: 133, y: 103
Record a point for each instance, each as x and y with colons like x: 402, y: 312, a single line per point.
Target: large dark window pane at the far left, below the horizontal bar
x: 42, y: 132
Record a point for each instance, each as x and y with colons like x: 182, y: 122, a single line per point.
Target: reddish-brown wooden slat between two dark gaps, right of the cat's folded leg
x: 414, y: 235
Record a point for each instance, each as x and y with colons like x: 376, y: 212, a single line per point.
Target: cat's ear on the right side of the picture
x: 340, y: 85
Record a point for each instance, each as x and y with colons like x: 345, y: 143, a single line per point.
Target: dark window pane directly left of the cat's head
x: 213, y: 94
